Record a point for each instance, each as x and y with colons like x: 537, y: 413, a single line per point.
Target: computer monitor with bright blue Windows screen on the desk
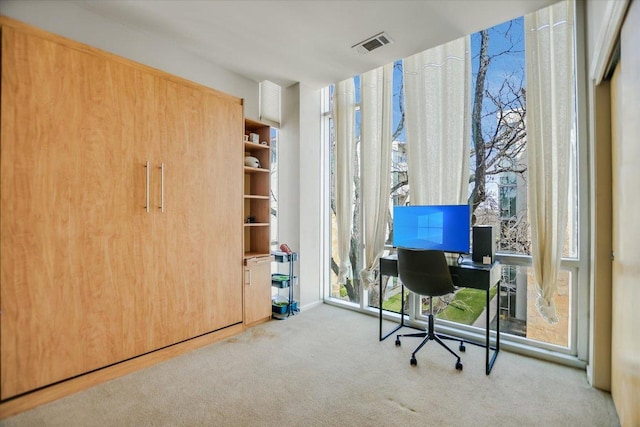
x: 443, y: 227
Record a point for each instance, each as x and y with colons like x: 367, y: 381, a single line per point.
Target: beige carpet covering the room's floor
x: 326, y: 367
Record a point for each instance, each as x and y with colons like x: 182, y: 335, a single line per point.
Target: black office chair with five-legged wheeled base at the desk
x: 426, y: 272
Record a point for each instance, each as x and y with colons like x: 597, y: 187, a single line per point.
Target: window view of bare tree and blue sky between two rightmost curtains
x: 498, y: 150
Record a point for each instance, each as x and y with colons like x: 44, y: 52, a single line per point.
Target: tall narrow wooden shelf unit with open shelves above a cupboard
x: 257, y: 243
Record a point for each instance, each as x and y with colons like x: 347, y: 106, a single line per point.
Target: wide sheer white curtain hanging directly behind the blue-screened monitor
x: 437, y: 85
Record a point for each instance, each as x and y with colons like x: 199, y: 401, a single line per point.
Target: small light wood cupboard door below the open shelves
x: 257, y: 290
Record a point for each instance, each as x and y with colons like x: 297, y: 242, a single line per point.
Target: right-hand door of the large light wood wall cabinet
x: 200, y: 224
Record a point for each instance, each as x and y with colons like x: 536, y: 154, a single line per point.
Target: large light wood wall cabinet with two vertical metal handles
x: 119, y: 218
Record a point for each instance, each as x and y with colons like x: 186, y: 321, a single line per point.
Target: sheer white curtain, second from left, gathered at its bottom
x: 375, y: 152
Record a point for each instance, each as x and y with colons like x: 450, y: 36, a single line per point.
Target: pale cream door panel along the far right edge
x: 625, y: 175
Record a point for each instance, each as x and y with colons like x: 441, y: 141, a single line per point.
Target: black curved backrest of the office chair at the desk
x: 425, y: 272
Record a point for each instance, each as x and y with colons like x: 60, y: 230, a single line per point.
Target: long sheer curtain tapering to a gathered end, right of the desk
x: 550, y: 118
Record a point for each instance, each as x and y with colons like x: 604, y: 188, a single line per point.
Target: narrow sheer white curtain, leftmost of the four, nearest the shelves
x: 344, y: 123
